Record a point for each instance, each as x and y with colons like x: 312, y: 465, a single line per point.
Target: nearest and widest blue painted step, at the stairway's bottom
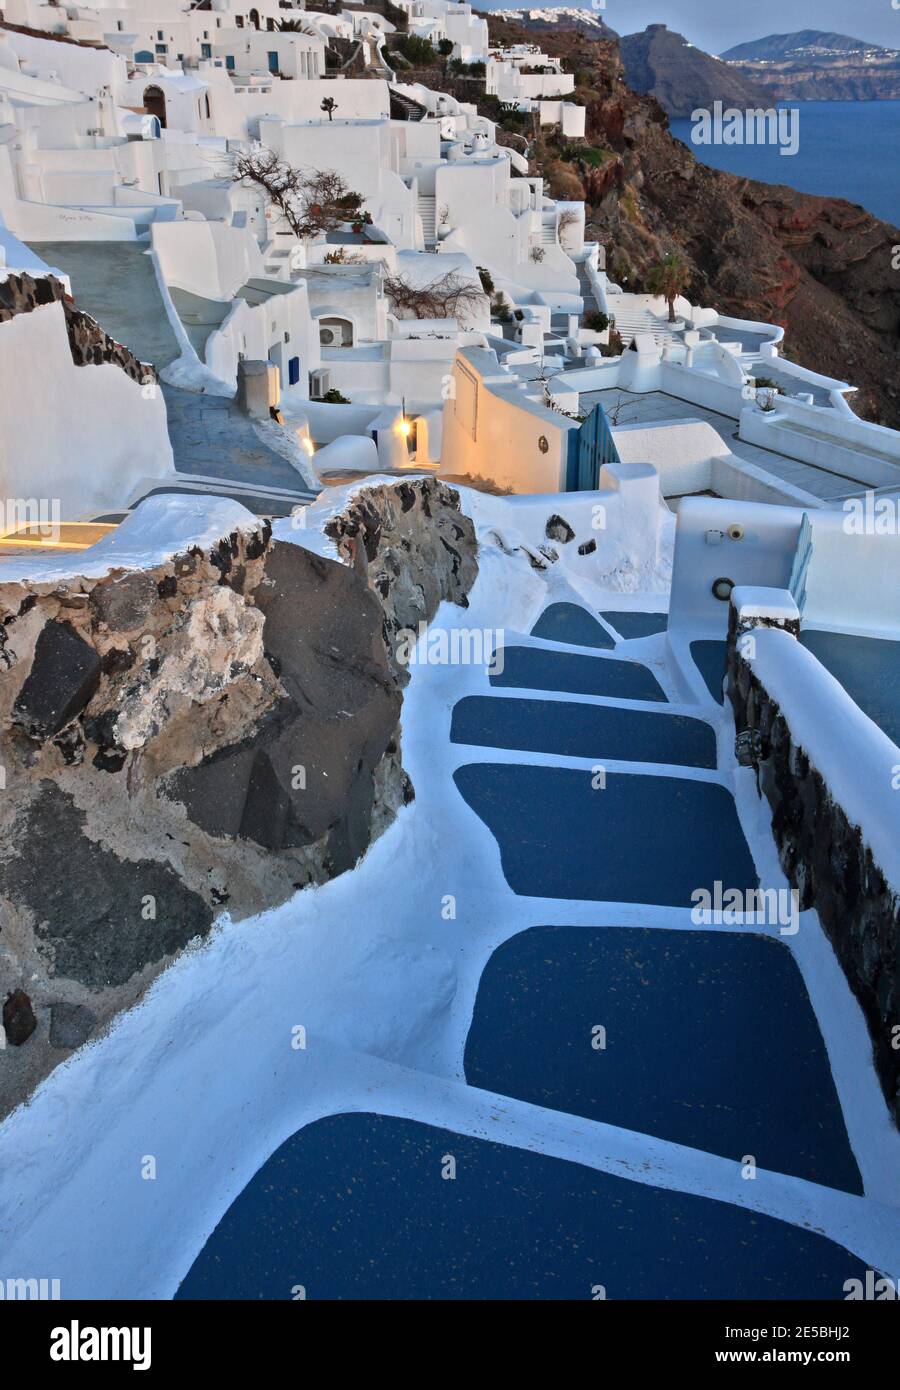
x: 355, y: 1207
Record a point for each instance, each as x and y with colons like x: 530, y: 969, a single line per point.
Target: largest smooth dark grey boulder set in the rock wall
x: 297, y: 779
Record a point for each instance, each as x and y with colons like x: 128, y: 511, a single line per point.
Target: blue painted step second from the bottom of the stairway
x: 710, y: 1042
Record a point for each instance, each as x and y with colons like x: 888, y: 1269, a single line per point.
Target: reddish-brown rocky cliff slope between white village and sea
x: 821, y: 268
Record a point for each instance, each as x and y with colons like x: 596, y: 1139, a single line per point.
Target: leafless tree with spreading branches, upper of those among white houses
x: 311, y: 201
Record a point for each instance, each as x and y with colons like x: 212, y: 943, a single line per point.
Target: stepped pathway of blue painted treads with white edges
x: 692, y: 1052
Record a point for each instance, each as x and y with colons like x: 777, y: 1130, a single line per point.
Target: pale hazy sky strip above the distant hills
x: 718, y: 24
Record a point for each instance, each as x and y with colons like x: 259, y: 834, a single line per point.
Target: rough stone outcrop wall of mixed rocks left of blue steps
x: 208, y: 735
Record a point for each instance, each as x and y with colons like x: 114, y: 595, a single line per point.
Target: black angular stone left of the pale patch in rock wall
x: 66, y: 673
